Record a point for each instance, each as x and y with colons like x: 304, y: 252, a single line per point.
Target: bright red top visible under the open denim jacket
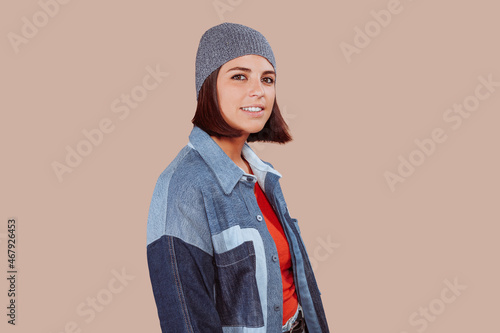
x: 290, y: 301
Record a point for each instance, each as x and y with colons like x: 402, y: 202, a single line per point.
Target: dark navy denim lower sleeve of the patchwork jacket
x: 182, y: 278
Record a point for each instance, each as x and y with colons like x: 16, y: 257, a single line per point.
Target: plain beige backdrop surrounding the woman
x: 380, y: 256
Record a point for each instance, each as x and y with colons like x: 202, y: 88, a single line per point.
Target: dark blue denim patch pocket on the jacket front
x: 237, y: 294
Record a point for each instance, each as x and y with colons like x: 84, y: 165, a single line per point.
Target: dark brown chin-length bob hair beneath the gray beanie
x: 209, y: 118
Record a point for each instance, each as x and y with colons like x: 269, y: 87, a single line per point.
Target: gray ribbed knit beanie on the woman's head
x: 225, y: 42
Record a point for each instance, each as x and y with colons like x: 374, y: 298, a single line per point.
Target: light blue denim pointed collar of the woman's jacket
x: 226, y: 171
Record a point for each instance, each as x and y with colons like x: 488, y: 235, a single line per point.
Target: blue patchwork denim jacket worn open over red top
x: 212, y: 262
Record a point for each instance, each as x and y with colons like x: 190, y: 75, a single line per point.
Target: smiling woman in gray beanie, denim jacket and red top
x: 224, y: 254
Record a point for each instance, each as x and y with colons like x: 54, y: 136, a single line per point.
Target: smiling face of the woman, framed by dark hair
x: 247, y: 81
